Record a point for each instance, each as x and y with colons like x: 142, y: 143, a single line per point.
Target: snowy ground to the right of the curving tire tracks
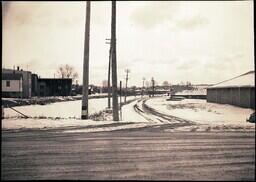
x: 202, y: 112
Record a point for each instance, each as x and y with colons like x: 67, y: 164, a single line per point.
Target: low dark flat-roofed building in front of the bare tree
x: 54, y: 86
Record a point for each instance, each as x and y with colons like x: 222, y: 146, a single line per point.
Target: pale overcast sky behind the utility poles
x: 200, y: 42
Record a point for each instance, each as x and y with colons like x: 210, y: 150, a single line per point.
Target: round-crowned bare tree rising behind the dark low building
x: 67, y: 71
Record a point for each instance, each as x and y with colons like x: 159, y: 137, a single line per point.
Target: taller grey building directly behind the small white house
x: 26, y: 80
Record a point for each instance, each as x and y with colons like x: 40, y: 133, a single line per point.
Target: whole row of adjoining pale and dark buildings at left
x: 24, y: 84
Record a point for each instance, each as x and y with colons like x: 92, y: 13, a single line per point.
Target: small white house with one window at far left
x: 12, y: 85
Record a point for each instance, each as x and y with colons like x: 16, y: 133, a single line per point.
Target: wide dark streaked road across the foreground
x: 148, y: 153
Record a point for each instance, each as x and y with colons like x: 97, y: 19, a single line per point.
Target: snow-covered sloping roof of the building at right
x: 244, y: 80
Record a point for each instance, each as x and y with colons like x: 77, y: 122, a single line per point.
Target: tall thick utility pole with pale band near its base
x: 86, y: 63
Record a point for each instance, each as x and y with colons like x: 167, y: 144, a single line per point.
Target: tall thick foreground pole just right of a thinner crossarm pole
x: 113, y: 57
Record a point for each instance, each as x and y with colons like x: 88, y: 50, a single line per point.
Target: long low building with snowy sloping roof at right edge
x: 238, y: 91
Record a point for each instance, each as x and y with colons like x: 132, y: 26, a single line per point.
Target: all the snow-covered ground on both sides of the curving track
x: 207, y: 116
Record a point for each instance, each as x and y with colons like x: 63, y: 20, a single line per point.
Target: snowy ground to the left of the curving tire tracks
x: 67, y: 114
